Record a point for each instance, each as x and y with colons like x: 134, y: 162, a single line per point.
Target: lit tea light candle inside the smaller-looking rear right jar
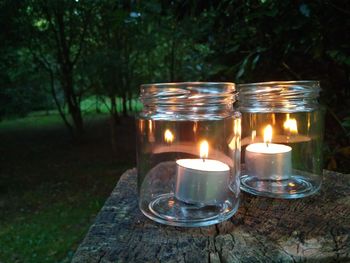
x: 268, y: 161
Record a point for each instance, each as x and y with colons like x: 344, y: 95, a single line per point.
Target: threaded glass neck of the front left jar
x: 188, y: 100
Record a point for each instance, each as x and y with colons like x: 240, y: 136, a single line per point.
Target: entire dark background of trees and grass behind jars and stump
x: 69, y: 79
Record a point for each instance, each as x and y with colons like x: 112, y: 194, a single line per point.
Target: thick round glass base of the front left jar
x: 168, y: 210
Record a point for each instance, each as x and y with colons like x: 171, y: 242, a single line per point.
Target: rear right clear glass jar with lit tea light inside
x: 282, y: 134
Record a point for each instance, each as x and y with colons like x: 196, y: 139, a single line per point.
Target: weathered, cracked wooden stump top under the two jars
x: 312, y: 229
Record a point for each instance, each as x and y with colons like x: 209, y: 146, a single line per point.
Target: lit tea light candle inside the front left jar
x: 202, y: 181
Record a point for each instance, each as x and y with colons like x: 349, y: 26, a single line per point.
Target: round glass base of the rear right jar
x: 296, y: 186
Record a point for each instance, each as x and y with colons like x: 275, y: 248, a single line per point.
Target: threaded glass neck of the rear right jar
x: 279, y: 96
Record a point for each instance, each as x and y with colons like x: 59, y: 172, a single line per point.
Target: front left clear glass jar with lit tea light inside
x: 188, y: 153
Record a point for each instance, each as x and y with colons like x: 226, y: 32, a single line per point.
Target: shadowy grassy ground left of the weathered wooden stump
x: 52, y: 188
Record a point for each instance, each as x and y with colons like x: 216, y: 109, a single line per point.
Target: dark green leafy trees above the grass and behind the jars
x: 73, y: 49
